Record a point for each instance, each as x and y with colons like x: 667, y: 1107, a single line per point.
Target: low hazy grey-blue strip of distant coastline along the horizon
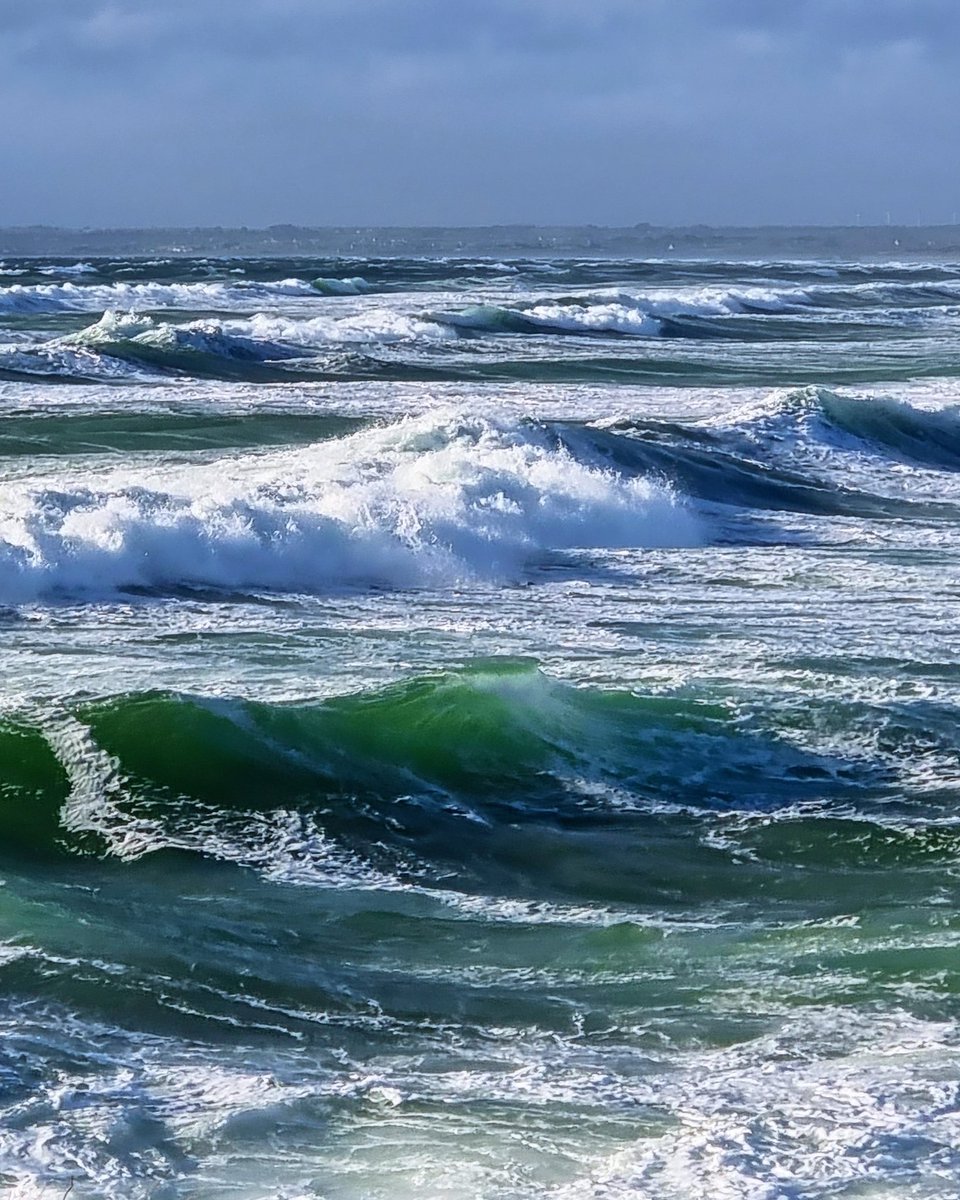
x: 599, y: 242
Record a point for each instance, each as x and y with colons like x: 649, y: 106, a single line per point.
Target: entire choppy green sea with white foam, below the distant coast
x: 479, y: 729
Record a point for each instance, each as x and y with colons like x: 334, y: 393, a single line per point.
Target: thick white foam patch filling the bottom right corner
x: 823, y: 1107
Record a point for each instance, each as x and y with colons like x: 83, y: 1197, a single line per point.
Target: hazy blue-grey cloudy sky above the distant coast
x: 479, y: 112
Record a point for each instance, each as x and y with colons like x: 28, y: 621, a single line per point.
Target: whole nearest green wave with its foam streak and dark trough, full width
x: 495, y: 781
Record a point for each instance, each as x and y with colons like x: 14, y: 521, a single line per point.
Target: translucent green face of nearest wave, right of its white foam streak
x: 500, y: 734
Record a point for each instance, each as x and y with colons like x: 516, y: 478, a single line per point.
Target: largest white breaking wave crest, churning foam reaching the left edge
x: 427, y: 502
